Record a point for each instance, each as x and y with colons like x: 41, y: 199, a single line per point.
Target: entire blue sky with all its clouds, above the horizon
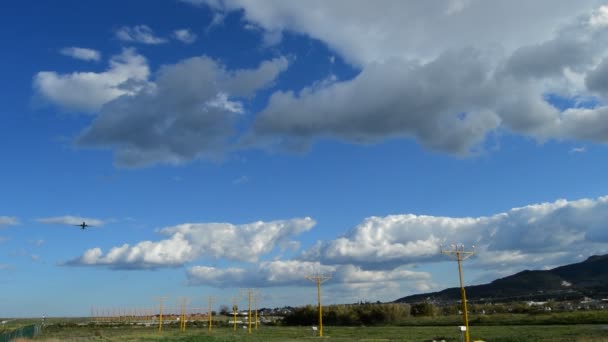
x: 217, y: 145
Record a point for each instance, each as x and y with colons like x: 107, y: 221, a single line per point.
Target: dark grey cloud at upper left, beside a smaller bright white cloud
x: 189, y: 111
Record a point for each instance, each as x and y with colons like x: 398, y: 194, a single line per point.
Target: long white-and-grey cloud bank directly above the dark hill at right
x: 547, y: 233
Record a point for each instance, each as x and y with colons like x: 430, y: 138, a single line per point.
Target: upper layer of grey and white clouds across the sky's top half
x: 426, y: 71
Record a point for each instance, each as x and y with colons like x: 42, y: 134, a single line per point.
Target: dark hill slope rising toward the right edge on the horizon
x: 585, y: 279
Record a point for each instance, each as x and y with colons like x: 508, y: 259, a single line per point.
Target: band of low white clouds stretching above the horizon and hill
x: 379, y: 253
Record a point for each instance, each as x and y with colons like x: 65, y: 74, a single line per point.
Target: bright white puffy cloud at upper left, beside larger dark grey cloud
x: 88, y: 91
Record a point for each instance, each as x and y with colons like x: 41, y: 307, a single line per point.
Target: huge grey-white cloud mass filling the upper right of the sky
x: 446, y: 91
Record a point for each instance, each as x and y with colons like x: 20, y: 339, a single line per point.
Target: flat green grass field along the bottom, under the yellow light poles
x: 582, y: 333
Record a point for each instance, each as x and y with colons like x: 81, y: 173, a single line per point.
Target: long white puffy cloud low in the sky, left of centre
x: 186, y: 242
